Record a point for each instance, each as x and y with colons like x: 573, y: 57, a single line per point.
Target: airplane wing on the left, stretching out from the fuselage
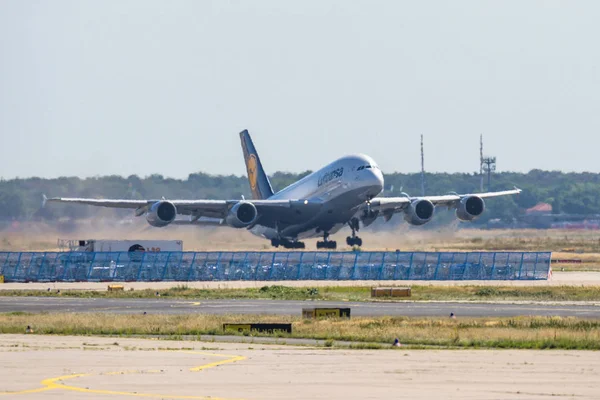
x: 268, y: 210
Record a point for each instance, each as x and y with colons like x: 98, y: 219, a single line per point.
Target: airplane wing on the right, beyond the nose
x: 396, y: 204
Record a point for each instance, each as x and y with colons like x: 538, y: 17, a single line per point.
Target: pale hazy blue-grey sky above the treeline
x: 140, y: 87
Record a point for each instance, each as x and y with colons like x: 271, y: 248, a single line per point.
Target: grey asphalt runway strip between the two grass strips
x: 282, y: 307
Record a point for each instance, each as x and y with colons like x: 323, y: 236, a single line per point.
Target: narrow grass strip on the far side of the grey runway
x: 336, y: 293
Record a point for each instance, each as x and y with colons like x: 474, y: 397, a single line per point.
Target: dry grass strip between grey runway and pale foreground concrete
x: 514, y: 333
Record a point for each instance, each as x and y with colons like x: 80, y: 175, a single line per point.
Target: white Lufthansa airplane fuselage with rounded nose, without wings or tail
x: 342, y: 187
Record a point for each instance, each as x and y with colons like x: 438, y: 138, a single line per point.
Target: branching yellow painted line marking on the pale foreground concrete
x: 56, y: 383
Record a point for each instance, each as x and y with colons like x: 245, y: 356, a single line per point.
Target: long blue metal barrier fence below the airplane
x: 271, y: 266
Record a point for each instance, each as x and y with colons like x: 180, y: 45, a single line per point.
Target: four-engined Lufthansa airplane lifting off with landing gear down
x: 343, y: 193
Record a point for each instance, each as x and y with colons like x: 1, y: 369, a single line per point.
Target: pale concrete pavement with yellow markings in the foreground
x: 46, y: 367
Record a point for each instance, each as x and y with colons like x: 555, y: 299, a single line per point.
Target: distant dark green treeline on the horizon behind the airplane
x: 21, y: 199
